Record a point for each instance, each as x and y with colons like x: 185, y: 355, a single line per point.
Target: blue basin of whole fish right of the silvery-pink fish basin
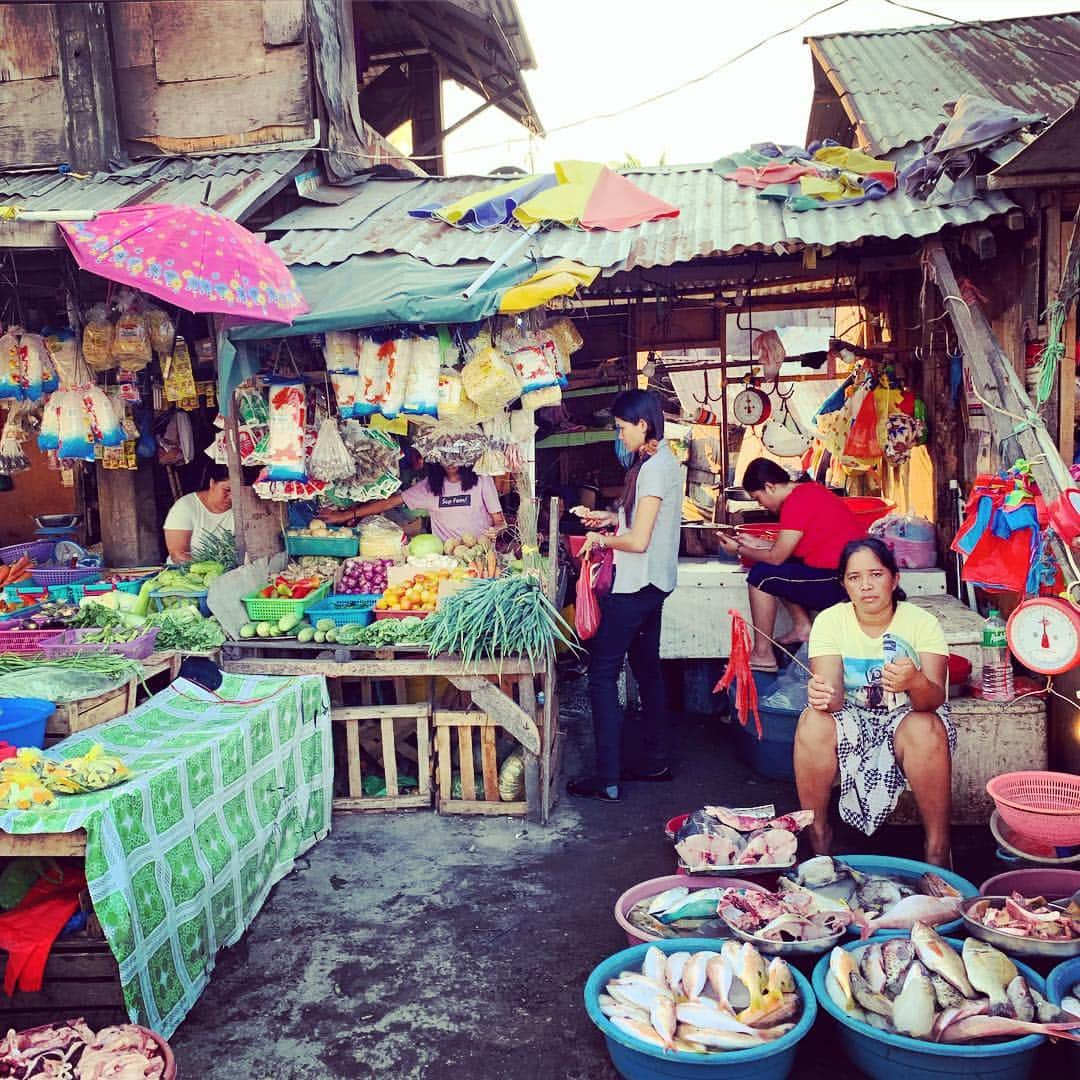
x: 883, y: 1056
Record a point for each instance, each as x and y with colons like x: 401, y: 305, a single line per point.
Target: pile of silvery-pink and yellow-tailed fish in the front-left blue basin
x: 704, y: 1003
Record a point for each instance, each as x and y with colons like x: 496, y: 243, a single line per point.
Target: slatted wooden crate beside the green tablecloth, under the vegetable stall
x: 384, y: 733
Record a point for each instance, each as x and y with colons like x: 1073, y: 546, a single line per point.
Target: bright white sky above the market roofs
x: 599, y: 57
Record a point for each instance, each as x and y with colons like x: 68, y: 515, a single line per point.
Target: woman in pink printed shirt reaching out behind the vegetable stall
x: 457, y: 501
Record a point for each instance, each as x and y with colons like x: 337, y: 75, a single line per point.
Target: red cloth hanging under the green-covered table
x: 29, y: 931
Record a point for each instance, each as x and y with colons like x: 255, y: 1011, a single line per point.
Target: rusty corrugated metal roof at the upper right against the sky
x: 895, y: 84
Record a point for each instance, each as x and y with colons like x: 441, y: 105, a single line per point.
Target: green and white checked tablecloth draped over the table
x: 180, y: 859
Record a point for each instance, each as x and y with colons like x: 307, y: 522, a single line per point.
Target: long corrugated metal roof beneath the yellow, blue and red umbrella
x: 718, y: 218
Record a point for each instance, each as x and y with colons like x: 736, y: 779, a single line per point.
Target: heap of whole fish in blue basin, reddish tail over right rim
x: 923, y: 989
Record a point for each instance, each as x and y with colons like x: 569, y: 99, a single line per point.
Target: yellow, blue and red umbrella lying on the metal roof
x: 578, y: 195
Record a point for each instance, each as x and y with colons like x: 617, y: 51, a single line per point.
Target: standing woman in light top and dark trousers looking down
x: 646, y: 562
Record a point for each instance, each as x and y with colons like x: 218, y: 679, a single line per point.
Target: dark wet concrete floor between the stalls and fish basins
x: 416, y: 947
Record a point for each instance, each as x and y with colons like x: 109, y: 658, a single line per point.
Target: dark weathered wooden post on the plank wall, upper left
x: 90, y: 100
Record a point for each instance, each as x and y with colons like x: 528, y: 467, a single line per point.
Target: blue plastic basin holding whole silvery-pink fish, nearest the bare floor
x: 636, y: 1061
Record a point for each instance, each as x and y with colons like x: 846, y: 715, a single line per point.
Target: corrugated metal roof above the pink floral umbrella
x: 237, y: 184
